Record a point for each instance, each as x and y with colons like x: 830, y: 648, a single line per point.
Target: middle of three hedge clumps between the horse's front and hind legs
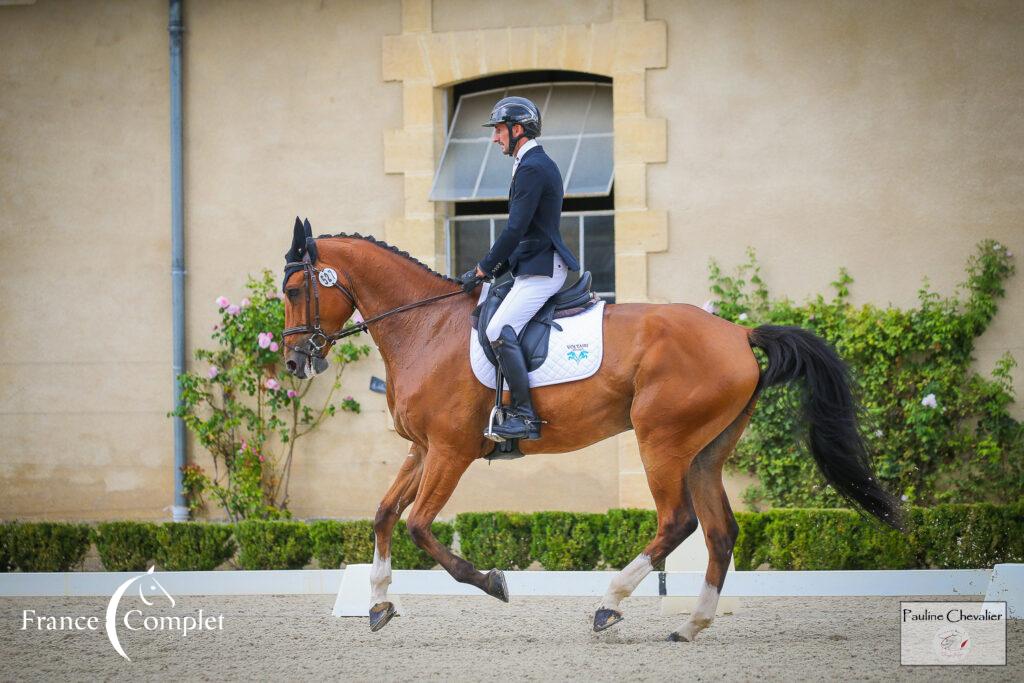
x: 565, y: 541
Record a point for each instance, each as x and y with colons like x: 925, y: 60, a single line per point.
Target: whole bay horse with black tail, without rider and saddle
x: 685, y: 380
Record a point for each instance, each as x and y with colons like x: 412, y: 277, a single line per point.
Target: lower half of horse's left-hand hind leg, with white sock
x: 676, y: 522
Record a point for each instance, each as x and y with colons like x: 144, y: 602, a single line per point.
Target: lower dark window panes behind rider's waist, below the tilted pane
x: 589, y: 235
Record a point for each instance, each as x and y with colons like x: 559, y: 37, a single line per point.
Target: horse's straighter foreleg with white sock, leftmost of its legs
x: 402, y: 493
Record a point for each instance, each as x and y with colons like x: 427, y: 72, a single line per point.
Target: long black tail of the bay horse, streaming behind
x: 832, y: 413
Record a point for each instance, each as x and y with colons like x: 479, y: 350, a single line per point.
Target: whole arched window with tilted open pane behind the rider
x: 475, y: 176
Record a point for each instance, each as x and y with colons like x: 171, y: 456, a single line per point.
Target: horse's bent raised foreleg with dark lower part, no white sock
x: 442, y: 474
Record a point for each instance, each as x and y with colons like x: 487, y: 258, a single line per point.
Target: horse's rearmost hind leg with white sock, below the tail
x: 712, y: 506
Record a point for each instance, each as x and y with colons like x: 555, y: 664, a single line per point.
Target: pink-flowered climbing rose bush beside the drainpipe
x: 247, y: 412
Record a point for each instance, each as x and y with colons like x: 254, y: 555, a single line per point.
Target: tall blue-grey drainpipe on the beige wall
x: 181, y: 509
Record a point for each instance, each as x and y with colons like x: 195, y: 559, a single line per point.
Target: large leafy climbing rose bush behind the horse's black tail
x: 940, y: 432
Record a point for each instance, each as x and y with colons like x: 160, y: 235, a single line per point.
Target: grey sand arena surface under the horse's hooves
x: 480, y: 639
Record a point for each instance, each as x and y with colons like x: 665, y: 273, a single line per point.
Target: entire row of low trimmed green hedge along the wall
x: 943, y: 537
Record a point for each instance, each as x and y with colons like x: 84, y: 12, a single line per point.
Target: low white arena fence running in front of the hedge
x: 352, y: 585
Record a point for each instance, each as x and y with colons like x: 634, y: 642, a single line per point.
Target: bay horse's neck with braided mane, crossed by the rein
x: 383, y: 282
